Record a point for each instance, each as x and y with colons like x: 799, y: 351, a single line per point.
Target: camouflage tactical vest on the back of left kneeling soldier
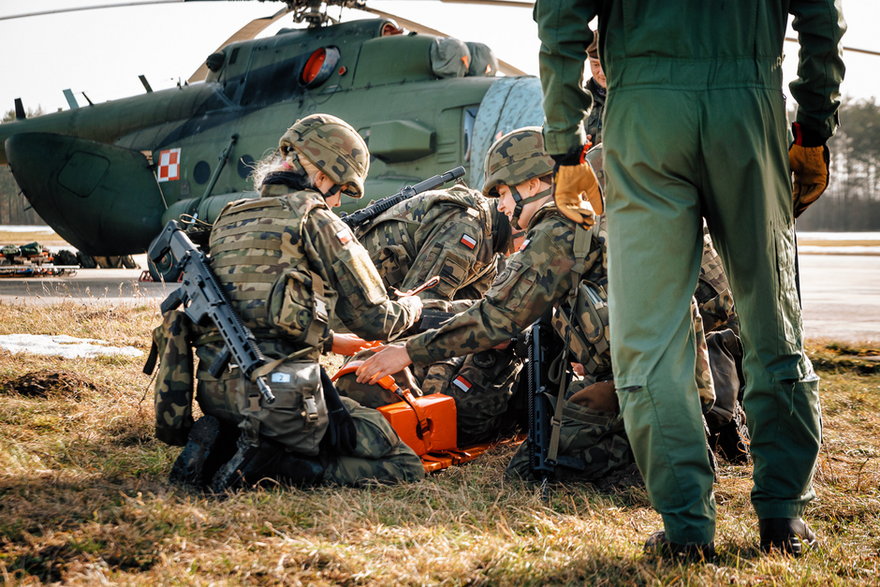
x: 257, y: 254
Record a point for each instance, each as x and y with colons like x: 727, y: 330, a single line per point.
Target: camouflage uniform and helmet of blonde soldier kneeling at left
x: 288, y: 264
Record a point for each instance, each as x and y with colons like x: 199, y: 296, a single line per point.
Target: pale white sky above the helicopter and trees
x: 102, y: 52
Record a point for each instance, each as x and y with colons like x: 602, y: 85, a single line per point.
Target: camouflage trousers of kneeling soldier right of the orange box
x: 595, y: 440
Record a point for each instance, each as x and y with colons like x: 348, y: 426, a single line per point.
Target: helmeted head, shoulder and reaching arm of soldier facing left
x: 541, y: 274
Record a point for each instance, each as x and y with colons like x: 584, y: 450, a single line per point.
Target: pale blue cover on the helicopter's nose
x: 510, y: 103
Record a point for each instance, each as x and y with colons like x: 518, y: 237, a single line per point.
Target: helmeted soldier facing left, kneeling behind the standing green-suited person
x: 543, y: 274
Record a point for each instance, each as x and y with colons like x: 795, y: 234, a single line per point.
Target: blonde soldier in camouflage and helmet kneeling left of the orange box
x: 287, y: 263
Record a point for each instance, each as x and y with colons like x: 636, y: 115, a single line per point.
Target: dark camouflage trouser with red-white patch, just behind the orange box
x: 481, y: 384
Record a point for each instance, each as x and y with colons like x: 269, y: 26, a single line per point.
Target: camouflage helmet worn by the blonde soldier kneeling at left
x: 334, y: 147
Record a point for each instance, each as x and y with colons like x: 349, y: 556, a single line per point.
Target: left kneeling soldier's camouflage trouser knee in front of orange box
x: 378, y: 456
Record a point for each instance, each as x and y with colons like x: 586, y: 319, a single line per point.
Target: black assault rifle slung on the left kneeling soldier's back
x: 202, y: 297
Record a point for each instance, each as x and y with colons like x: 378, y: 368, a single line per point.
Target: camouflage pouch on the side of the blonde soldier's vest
x: 299, y: 306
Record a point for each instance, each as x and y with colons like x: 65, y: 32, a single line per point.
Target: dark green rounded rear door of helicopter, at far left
x: 100, y: 198
